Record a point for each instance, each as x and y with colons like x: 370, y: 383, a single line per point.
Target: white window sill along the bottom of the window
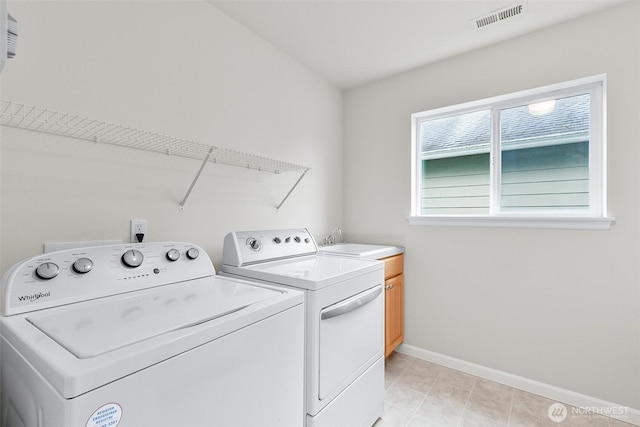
x: 569, y: 223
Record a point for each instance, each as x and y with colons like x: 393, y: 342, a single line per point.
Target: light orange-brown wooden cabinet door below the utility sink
x: 394, y: 313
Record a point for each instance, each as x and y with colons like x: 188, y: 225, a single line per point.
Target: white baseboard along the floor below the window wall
x: 628, y: 415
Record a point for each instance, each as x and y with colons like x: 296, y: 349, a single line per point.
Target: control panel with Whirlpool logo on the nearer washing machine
x: 74, y: 275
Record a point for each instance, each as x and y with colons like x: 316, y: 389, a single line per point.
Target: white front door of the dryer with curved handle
x: 351, y: 339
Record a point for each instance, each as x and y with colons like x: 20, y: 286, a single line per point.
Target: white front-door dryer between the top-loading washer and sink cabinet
x: 344, y: 304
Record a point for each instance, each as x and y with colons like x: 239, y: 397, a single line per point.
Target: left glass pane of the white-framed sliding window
x: 455, y: 164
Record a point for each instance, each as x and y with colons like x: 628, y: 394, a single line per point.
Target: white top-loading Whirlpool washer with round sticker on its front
x: 146, y: 335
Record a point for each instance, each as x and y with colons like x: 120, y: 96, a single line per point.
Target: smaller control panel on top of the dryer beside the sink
x: 248, y: 247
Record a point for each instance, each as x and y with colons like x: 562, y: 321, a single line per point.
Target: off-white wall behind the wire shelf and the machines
x: 180, y: 68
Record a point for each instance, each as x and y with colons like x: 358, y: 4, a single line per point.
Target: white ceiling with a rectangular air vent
x: 353, y: 42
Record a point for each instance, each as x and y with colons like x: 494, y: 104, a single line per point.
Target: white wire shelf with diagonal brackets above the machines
x: 54, y: 122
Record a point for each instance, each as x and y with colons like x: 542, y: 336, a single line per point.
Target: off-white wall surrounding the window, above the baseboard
x: 557, y: 306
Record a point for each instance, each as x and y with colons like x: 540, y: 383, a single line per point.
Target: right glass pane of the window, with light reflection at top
x: 545, y: 156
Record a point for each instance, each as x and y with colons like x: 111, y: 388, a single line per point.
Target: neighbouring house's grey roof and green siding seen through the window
x: 544, y: 160
